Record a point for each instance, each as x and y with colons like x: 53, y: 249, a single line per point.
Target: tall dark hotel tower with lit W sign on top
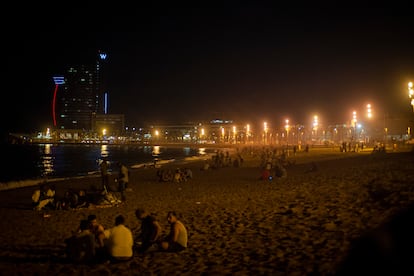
x: 80, y: 96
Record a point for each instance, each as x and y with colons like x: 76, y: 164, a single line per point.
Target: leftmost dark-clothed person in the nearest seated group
x: 80, y: 247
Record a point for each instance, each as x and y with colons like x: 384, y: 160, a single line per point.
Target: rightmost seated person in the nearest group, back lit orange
x: 177, y: 239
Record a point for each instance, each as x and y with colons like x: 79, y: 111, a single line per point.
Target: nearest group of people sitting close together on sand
x: 92, y: 243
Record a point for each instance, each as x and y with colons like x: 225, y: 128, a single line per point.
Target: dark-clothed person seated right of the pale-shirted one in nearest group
x: 150, y: 230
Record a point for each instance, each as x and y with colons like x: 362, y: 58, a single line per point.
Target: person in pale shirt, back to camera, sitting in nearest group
x: 120, y: 242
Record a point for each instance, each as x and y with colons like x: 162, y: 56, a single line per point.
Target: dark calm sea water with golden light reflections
x: 28, y: 162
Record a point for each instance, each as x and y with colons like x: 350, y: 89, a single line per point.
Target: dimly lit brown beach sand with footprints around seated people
x: 237, y: 224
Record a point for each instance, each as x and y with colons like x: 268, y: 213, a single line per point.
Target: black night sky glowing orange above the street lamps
x: 246, y: 62
